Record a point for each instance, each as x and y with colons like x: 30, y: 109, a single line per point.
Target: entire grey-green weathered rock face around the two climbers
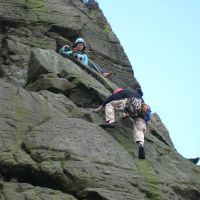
x: 51, y: 146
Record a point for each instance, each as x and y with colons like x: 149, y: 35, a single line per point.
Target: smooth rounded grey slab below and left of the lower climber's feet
x: 90, y: 147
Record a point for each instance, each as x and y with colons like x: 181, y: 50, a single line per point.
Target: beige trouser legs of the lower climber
x: 139, y: 125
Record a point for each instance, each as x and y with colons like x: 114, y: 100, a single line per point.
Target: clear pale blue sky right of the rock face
x: 162, y: 41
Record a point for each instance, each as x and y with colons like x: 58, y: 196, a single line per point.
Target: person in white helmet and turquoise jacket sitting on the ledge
x: 78, y: 53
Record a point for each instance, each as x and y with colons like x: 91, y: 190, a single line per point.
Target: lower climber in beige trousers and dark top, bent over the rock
x: 131, y: 103
